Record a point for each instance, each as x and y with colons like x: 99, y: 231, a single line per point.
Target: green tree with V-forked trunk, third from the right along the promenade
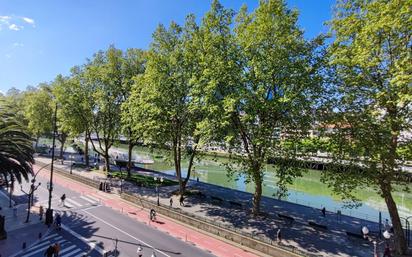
x: 162, y: 98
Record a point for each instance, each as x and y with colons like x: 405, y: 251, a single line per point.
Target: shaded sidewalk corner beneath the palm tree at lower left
x: 19, y: 232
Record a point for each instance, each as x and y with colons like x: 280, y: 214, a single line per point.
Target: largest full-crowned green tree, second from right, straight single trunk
x: 253, y: 75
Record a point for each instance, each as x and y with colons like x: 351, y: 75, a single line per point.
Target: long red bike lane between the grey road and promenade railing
x: 189, y: 235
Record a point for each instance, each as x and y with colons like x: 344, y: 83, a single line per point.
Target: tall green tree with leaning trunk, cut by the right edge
x: 372, y: 56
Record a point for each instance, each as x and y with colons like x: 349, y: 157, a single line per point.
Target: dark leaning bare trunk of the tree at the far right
x: 399, y: 240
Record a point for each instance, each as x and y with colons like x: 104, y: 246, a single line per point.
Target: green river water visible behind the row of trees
x: 306, y: 190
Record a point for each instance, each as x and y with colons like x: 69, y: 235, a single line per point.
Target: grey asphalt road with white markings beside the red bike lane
x: 86, y: 221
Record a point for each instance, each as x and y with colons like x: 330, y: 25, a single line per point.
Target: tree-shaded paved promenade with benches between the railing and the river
x: 331, y: 242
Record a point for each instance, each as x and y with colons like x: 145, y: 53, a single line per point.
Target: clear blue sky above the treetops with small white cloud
x: 42, y: 38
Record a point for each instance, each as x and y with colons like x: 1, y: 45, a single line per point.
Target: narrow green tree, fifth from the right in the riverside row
x: 104, y: 78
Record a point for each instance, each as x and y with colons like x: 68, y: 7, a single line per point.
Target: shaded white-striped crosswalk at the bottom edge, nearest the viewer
x: 68, y: 248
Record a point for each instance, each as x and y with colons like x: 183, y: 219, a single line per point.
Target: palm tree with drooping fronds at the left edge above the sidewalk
x: 16, y: 147
